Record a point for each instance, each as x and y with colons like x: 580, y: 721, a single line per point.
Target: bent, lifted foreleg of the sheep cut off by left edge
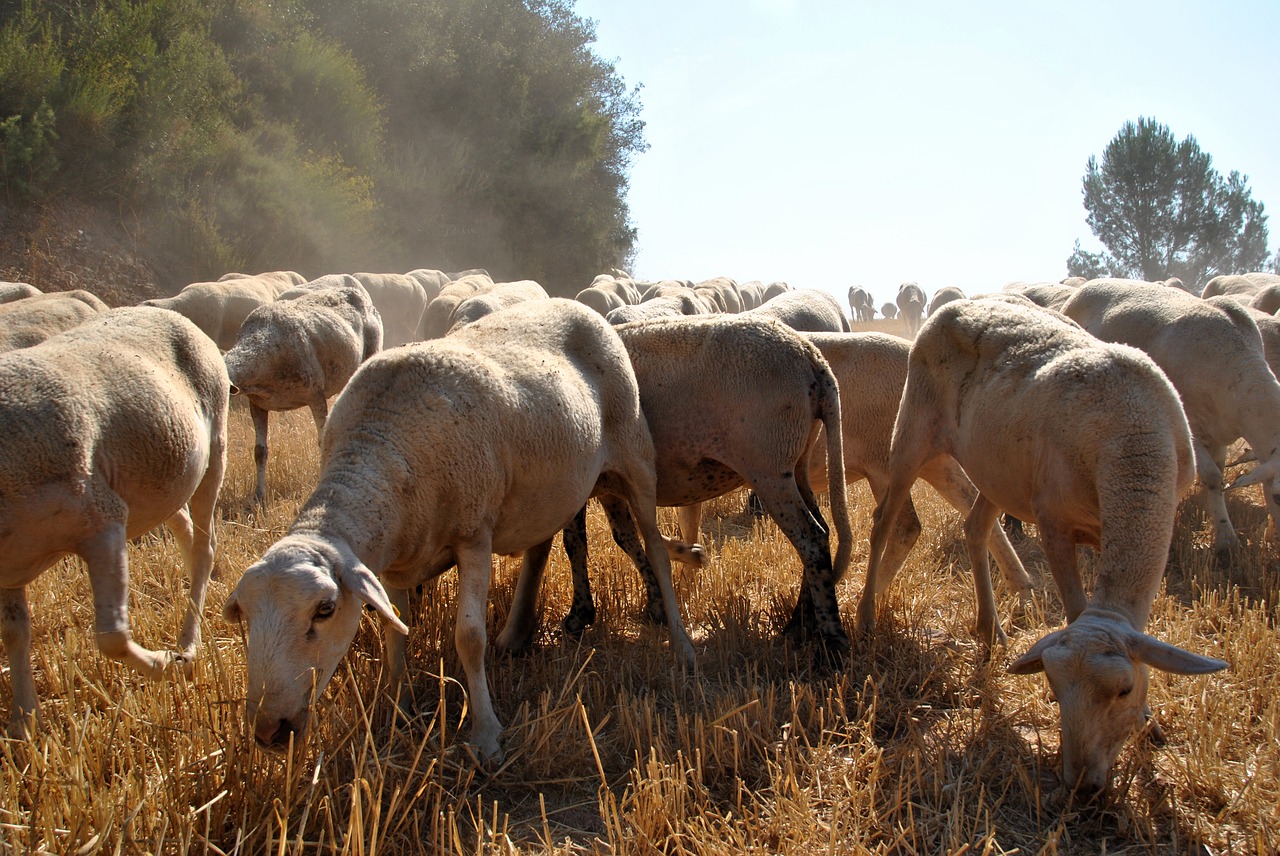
x: 109, y: 579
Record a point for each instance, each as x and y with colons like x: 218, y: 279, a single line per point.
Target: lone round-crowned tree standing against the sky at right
x: 1162, y: 210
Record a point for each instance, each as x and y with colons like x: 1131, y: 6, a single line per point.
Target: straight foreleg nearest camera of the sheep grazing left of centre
x: 470, y: 638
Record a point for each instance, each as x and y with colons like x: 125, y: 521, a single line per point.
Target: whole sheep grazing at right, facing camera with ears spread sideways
x: 1089, y: 441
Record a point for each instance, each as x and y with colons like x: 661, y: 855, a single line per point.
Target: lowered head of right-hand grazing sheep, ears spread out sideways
x: 1098, y: 669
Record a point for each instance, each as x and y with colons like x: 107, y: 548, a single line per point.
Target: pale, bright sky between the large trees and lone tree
x: 831, y: 144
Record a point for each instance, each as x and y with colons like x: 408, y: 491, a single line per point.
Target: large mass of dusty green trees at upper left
x: 326, y: 135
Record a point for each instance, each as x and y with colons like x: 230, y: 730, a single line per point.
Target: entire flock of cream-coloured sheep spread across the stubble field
x: 477, y: 418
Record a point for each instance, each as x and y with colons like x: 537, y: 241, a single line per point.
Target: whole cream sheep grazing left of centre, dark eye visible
x: 437, y: 455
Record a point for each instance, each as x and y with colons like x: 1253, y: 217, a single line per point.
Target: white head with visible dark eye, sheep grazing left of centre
x: 301, y: 606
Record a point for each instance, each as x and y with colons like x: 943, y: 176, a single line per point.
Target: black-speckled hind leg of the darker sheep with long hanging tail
x: 811, y: 539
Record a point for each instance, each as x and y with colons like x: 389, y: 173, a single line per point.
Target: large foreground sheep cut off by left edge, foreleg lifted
x: 113, y: 428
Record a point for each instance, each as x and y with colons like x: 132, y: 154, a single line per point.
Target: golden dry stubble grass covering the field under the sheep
x: 915, y: 745
